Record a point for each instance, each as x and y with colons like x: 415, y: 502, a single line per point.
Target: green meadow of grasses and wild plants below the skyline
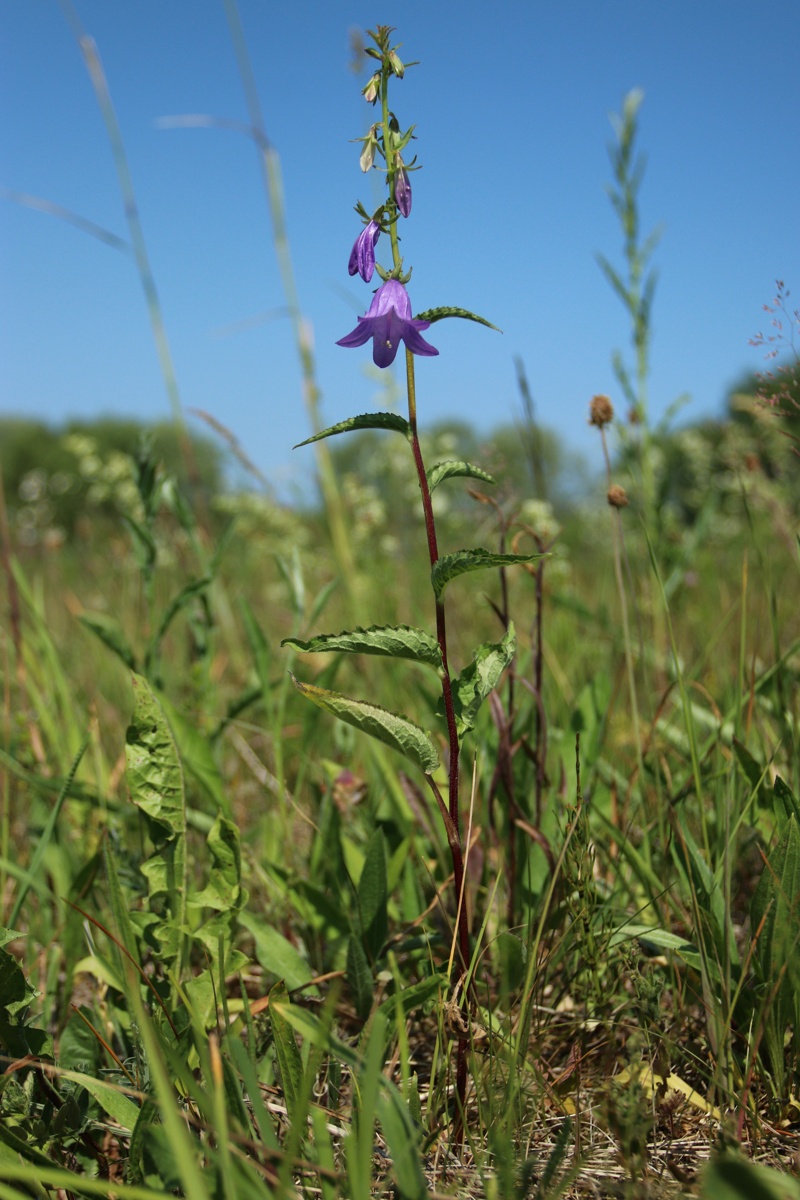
x: 246, y: 951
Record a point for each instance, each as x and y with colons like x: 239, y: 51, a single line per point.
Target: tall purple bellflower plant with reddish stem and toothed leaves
x: 389, y: 322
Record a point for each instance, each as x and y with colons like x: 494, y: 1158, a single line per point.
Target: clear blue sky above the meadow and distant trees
x: 512, y: 109
